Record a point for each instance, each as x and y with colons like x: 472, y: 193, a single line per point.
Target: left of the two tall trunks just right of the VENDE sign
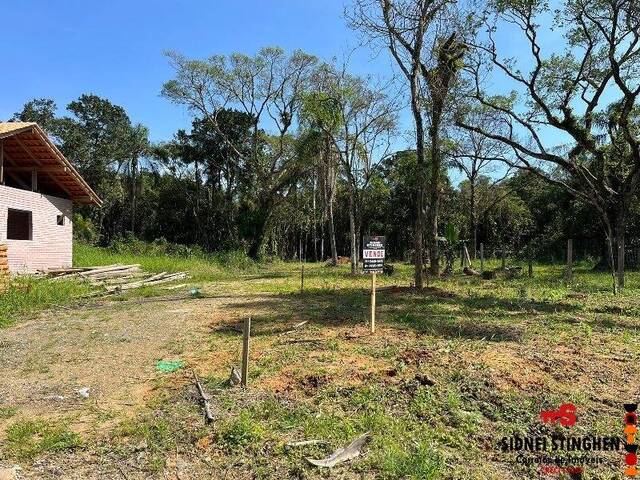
x: 420, y: 183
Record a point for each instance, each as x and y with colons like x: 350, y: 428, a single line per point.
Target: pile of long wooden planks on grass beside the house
x: 116, y: 277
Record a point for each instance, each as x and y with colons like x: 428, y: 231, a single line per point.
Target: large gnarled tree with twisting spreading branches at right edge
x: 586, y: 95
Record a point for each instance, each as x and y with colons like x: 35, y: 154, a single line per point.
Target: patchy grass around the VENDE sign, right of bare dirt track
x: 452, y: 369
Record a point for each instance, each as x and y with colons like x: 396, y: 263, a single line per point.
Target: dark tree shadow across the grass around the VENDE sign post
x: 431, y: 311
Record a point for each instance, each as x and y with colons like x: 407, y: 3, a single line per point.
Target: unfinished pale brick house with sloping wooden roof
x: 38, y: 187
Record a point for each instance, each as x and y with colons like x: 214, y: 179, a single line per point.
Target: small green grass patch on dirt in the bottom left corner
x: 27, y: 439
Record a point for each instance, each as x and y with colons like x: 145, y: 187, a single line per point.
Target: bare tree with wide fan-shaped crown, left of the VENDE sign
x: 268, y: 87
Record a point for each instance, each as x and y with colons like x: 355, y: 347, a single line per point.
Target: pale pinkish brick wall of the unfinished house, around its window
x: 51, y: 244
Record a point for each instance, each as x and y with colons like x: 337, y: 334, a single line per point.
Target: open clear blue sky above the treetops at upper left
x: 61, y: 49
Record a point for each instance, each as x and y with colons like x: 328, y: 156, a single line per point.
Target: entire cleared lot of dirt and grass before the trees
x: 450, y: 371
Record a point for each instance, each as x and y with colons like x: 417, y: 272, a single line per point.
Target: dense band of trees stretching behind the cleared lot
x: 291, y: 156
